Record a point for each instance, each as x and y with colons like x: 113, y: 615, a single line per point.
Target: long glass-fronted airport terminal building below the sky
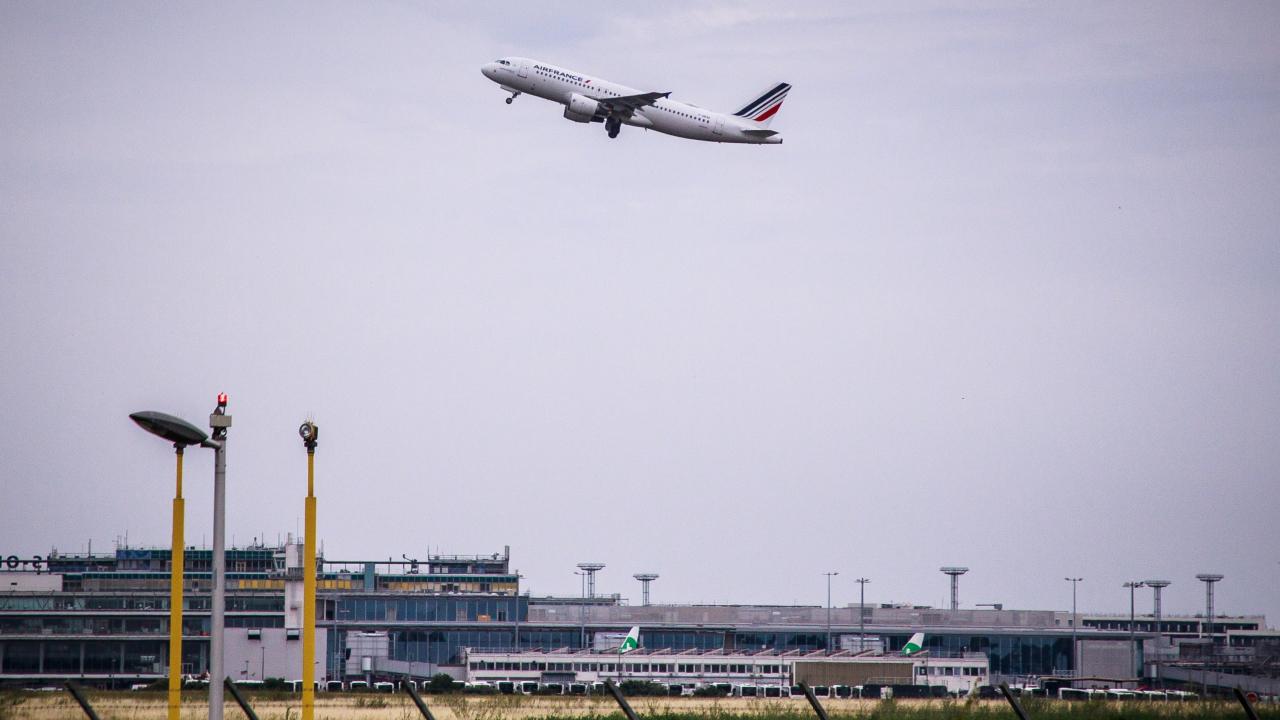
x: 103, y: 619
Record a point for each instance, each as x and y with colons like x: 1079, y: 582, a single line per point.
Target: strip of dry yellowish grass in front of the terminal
x: 282, y: 707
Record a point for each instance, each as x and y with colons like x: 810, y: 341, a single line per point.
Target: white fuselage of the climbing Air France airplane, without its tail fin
x: 578, y: 92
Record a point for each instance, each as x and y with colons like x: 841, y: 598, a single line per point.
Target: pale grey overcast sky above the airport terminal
x: 1008, y: 297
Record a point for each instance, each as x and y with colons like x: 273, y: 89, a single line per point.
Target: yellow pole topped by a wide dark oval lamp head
x: 181, y: 434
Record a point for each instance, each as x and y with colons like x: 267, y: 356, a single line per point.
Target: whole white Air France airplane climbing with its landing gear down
x: 593, y: 101
